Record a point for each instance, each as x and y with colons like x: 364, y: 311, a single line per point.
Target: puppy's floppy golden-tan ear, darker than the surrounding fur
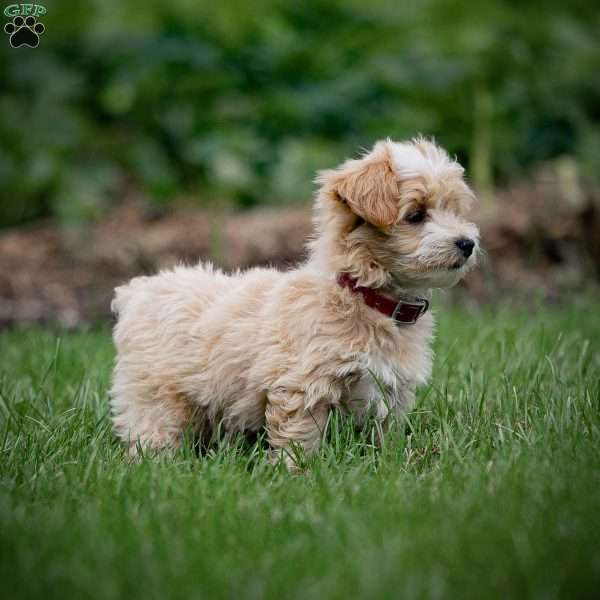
x: 368, y: 186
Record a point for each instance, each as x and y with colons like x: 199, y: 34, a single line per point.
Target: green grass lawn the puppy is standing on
x: 495, y: 492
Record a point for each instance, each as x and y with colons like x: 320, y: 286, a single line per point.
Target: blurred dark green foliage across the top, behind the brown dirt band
x: 242, y: 101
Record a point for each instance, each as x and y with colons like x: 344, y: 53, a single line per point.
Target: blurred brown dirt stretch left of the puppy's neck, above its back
x: 50, y: 274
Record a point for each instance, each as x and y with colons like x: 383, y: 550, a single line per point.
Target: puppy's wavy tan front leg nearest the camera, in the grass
x: 289, y: 422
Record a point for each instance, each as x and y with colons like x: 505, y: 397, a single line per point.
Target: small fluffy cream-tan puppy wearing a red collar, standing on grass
x: 271, y: 350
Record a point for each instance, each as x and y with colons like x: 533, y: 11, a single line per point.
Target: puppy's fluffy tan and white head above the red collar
x: 403, y: 207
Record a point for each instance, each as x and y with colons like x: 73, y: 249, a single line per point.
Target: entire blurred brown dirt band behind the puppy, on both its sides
x: 542, y: 236
